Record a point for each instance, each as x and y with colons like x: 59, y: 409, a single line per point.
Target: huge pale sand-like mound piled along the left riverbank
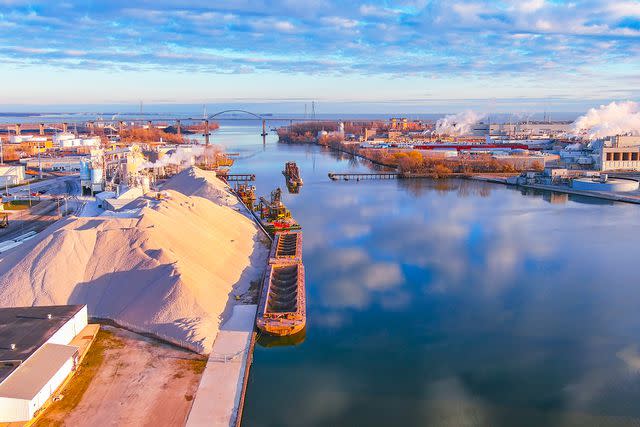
x: 168, y: 272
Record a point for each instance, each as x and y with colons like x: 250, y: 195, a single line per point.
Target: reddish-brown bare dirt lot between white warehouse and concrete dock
x: 128, y: 380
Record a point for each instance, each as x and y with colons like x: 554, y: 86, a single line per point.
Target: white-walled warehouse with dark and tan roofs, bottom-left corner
x: 36, y: 356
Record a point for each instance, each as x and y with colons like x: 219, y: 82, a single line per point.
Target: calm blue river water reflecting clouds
x: 449, y: 303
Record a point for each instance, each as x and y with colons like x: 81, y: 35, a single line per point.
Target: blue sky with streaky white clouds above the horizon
x: 377, y: 56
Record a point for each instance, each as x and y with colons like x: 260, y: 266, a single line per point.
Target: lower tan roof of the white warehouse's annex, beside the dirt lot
x: 30, y: 377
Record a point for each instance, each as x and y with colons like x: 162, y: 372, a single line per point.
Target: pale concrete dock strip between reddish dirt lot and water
x: 218, y: 396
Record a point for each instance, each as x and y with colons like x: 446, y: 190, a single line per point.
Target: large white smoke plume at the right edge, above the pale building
x: 617, y: 118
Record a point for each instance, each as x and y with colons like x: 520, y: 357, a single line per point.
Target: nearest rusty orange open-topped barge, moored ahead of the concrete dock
x: 282, y: 310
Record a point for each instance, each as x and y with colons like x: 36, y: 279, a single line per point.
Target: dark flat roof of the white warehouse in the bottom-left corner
x: 28, y: 328
